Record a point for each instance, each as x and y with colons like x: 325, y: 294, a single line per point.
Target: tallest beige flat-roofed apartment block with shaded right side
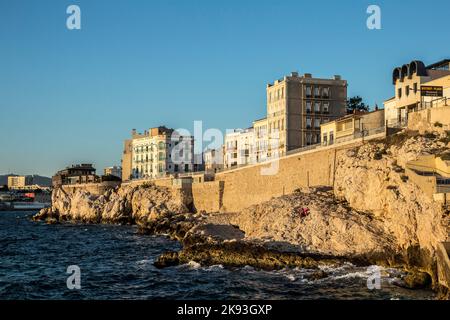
x: 298, y: 105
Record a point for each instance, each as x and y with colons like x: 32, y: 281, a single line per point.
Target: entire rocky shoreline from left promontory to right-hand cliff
x: 371, y: 216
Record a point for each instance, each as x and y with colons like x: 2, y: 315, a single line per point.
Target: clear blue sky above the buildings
x: 74, y: 96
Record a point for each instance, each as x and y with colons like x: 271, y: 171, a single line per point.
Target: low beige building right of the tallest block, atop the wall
x: 352, y: 126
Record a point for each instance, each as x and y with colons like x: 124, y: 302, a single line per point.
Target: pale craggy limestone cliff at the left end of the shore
x: 126, y: 204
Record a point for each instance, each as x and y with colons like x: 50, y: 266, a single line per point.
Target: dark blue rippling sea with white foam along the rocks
x: 117, y: 263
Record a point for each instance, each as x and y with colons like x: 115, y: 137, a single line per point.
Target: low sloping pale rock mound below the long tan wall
x: 329, y: 227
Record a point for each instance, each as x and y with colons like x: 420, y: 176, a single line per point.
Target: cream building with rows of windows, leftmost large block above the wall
x: 157, y: 153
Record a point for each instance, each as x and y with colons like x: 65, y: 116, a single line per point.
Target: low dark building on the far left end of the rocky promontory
x: 76, y: 174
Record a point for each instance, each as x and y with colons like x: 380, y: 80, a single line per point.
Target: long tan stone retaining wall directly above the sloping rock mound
x: 252, y: 185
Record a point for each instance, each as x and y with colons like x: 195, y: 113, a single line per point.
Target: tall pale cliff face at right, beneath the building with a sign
x: 378, y: 186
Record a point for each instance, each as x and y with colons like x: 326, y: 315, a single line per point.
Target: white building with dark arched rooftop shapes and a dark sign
x: 416, y: 87
